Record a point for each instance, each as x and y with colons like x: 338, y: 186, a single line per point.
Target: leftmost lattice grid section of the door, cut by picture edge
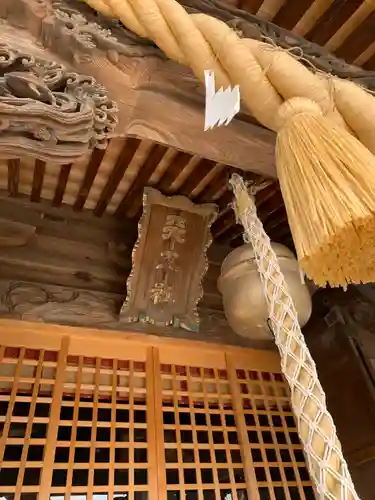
x: 27, y: 378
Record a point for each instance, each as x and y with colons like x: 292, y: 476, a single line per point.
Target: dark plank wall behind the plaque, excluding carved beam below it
x: 62, y: 247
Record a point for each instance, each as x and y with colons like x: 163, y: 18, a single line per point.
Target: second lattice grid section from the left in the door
x: 102, y: 434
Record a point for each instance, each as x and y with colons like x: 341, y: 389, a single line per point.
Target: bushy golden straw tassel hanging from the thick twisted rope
x: 327, y: 180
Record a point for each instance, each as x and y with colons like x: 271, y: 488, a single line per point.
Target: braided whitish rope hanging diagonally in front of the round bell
x: 326, y: 463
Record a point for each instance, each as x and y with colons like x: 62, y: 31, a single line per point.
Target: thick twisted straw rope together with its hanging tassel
x: 334, y: 113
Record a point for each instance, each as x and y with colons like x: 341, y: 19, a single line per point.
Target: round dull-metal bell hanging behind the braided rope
x: 243, y: 298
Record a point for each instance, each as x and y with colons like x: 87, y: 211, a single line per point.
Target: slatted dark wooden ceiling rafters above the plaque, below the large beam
x: 112, y: 181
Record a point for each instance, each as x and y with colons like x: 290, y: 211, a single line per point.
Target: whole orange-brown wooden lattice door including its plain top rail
x: 96, y: 415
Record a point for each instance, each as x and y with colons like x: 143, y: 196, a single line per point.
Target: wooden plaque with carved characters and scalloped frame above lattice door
x: 169, y: 262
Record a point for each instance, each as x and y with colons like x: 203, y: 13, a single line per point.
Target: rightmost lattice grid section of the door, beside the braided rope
x: 277, y: 453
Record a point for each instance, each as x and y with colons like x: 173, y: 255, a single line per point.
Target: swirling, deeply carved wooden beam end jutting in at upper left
x: 48, y: 112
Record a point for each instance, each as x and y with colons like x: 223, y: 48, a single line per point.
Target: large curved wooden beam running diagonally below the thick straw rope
x: 157, y: 98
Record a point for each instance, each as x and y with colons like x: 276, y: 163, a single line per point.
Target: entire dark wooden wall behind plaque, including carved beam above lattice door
x: 61, y: 266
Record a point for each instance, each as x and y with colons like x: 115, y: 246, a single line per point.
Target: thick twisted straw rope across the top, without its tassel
x: 267, y: 75
